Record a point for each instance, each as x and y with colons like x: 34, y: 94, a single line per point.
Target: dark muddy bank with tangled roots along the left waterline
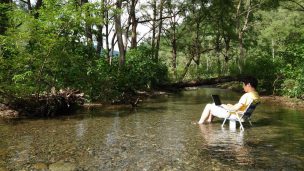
x: 46, y: 104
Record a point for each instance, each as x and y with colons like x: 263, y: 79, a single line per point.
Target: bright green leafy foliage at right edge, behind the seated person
x: 282, y: 33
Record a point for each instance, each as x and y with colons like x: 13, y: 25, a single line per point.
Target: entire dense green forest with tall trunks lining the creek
x: 98, y: 48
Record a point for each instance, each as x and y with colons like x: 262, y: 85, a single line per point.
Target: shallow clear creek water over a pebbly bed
x: 158, y: 135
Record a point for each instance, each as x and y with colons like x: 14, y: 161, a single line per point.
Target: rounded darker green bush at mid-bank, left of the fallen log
x: 114, y: 83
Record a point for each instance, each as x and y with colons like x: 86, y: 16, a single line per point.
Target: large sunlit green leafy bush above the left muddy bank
x: 40, y: 54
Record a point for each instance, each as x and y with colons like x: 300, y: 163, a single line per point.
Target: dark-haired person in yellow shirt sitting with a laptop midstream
x: 222, y: 111
